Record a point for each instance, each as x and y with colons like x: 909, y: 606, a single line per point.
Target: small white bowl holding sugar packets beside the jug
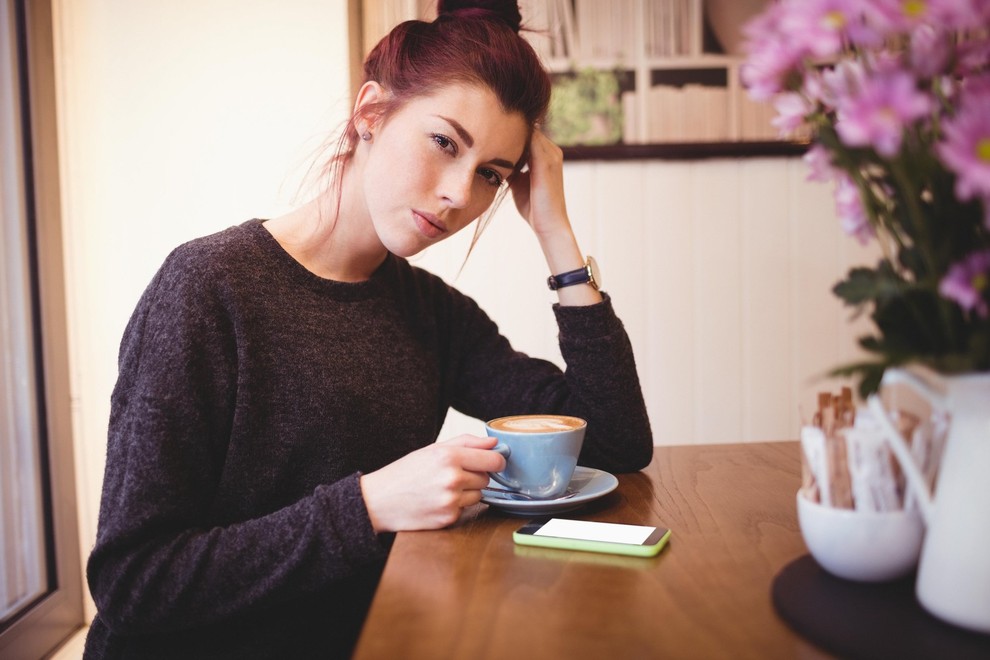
x: 861, y: 545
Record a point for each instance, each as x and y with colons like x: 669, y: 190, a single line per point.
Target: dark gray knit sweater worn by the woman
x: 252, y: 394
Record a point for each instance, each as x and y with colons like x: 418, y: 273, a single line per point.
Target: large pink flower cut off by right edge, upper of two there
x: 966, y: 147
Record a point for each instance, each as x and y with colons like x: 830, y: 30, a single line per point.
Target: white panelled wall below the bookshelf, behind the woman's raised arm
x: 722, y: 273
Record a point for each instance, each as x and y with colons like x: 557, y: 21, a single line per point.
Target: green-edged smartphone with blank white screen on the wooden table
x: 615, y: 538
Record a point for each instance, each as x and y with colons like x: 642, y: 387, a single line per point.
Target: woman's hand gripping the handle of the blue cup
x: 427, y: 488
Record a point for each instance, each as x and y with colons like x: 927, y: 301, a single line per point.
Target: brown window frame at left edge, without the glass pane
x: 53, y: 617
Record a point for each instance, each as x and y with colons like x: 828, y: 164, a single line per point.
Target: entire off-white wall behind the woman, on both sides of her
x: 180, y: 118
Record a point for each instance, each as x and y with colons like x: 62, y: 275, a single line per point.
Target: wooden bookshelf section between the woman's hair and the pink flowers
x: 693, y: 95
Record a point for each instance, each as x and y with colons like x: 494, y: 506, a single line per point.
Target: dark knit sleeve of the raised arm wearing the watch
x: 600, y: 382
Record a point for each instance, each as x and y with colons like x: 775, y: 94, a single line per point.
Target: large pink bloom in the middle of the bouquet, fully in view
x: 876, y: 114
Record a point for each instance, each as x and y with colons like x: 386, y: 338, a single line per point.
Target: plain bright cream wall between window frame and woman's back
x: 176, y: 119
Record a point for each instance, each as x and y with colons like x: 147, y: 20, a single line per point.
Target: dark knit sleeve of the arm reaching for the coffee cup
x: 162, y: 561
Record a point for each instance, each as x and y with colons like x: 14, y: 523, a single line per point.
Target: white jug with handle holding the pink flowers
x: 954, y: 571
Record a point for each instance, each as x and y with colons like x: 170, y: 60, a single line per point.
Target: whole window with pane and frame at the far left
x: 40, y: 582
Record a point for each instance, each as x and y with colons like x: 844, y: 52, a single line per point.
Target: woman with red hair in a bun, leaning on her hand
x: 282, y: 383
